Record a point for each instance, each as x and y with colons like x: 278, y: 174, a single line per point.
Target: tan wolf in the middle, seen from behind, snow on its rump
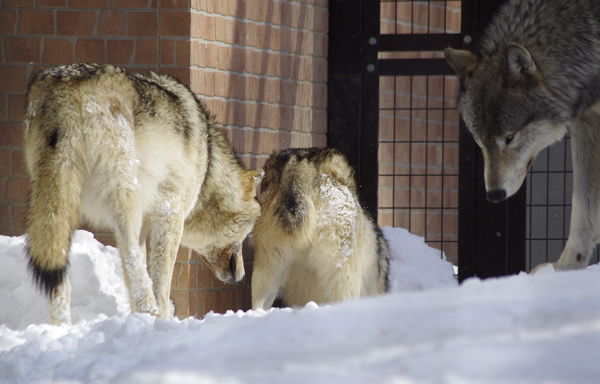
x: 314, y: 241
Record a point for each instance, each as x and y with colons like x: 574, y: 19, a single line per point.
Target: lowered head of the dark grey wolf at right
x: 512, y: 111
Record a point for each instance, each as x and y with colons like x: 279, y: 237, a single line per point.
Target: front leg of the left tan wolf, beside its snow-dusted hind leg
x: 164, y: 243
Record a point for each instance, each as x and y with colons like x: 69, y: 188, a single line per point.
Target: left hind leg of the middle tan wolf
x: 267, y: 275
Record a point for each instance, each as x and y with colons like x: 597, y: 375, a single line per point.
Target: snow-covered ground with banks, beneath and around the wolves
x: 521, y: 329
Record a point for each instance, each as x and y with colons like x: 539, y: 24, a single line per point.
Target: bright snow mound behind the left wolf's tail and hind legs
x: 95, y: 273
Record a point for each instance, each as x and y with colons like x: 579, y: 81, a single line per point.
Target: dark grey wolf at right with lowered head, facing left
x: 535, y: 75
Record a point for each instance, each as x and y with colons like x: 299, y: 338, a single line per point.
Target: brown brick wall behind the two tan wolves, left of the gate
x: 260, y: 65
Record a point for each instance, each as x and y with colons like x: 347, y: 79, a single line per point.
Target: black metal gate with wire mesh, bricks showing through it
x: 392, y: 110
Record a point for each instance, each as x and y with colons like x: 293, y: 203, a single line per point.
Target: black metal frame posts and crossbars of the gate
x: 491, y: 236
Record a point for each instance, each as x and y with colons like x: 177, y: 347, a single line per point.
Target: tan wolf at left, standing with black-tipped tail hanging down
x: 137, y: 154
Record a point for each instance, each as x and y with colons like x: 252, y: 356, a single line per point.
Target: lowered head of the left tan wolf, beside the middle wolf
x: 217, y: 231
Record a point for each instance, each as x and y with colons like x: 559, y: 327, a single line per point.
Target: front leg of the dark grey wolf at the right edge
x: 585, y: 215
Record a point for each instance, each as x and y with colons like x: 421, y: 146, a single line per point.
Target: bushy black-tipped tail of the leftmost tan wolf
x: 54, y: 202
